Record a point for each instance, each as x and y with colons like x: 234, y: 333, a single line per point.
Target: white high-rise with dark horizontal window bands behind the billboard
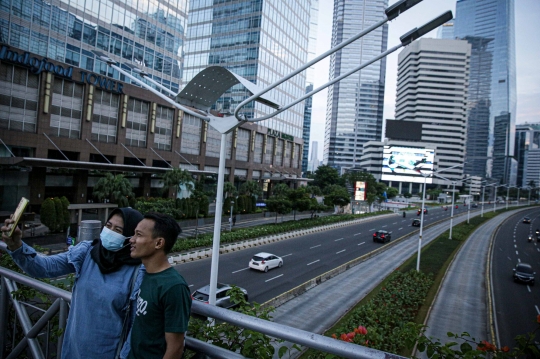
x: 433, y: 77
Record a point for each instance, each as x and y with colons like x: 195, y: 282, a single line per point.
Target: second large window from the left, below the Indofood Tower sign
x: 66, y: 108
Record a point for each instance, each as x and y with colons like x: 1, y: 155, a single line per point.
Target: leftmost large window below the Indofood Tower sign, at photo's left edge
x: 19, y: 91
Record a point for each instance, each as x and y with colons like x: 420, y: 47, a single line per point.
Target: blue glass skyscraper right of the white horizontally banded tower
x: 489, y: 27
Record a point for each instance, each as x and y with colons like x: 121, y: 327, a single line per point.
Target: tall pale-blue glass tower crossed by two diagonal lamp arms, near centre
x: 355, y: 104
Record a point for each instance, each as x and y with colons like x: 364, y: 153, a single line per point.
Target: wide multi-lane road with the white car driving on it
x: 304, y: 257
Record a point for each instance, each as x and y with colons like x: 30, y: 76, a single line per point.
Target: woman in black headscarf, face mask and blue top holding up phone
x: 106, y: 280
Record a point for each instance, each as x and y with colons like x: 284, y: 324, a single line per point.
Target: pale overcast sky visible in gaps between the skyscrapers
x: 527, y: 58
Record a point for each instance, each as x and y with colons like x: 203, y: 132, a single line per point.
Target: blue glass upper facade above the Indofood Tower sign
x: 147, y: 34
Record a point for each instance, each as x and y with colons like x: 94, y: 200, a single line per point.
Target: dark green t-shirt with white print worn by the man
x: 163, y: 306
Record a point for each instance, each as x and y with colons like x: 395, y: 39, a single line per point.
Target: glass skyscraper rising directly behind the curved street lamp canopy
x: 261, y: 40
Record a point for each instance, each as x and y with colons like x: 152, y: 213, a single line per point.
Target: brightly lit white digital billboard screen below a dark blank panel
x: 406, y: 164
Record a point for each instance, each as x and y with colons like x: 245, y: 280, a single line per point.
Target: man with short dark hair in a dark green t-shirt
x: 164, y: 301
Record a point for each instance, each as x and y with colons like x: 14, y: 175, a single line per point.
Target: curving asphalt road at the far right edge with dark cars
x: 516, y: 304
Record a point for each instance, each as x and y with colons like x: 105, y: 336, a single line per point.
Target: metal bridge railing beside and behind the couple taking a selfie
x: 9, y: 280
